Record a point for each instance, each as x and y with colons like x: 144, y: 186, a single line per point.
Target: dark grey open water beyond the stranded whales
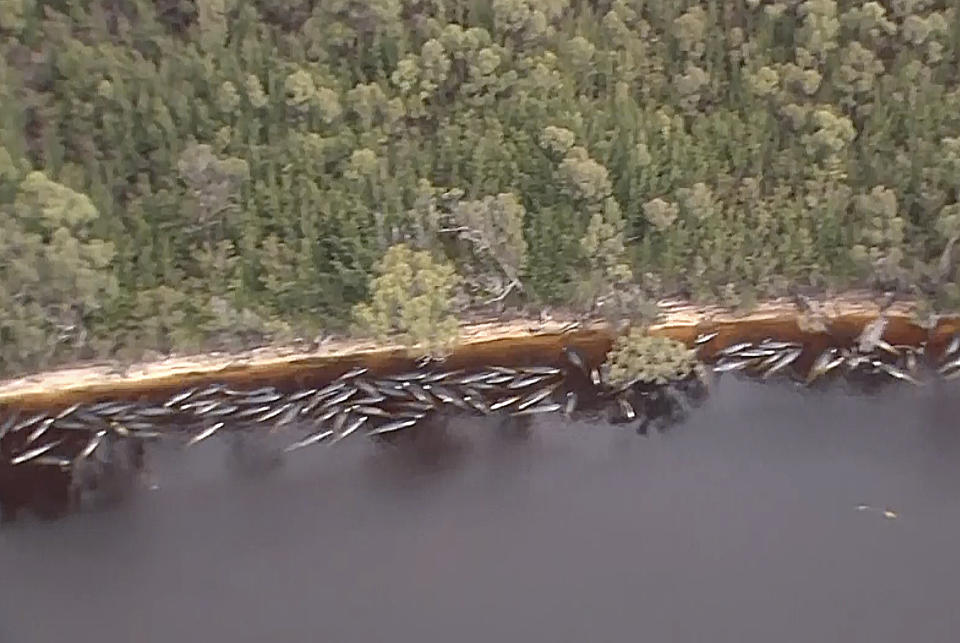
x: 739, y: 525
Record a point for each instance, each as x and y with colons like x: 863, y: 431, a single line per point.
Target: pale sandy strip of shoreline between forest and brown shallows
x: 678, y: 319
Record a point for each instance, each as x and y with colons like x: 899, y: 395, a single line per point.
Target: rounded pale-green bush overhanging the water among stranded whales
x: 649, y: 359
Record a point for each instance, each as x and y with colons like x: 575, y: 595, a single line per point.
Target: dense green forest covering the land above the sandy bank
x: 187, y: 174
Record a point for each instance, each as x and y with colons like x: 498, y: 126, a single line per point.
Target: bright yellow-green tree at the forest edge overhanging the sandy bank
x: 411, y: 301
